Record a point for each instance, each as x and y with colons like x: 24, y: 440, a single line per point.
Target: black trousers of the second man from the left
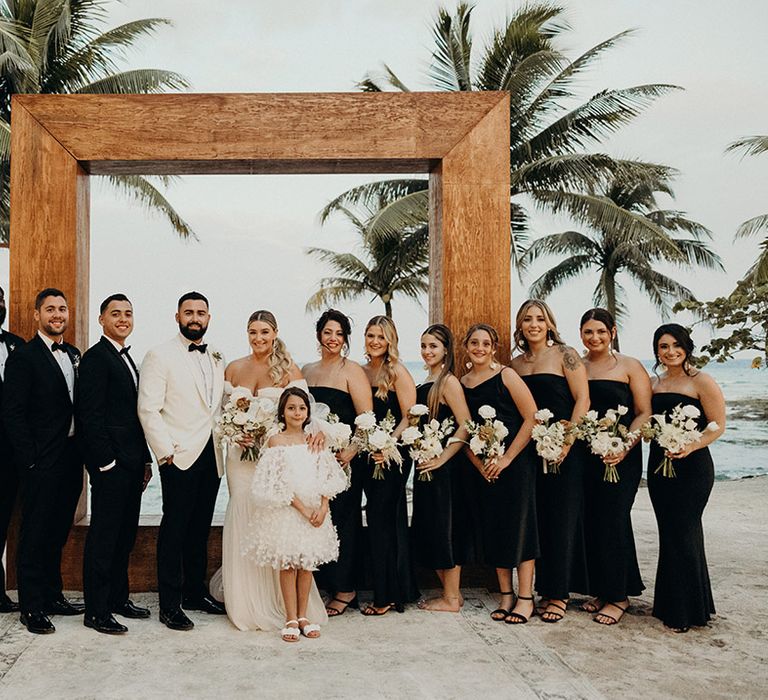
x: 49, y: 499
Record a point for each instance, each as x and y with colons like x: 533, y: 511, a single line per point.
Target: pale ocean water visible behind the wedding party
x: 741, y: 452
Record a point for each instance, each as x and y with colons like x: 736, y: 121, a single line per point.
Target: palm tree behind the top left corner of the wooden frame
x: 57, y: 47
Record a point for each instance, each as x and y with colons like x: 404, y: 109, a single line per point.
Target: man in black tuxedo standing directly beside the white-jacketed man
x: 119, y: 465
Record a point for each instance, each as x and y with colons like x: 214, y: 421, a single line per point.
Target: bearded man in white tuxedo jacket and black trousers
x: 180, y: 392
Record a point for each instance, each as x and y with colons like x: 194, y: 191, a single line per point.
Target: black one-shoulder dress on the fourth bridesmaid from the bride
x: 505, y: 510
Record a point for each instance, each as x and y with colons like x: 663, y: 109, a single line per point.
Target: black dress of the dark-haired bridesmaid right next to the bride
x: 346, y: 507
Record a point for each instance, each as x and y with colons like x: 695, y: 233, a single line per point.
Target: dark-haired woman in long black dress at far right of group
x: 683, y: 596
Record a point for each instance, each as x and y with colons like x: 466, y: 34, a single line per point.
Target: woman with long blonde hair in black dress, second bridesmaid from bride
x: 393, y: 390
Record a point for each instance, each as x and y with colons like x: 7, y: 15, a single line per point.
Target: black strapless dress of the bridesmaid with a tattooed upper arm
x: 562, y: 566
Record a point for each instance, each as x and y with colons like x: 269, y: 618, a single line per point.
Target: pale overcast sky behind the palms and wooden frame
x: 253, y: 230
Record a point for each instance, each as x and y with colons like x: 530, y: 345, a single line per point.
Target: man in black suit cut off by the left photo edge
x: 9, y: 478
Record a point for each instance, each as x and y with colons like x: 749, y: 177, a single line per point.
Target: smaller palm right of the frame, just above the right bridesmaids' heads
x: 613, y: 248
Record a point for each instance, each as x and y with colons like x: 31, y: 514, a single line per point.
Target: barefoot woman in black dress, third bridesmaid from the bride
x: 439, y: 521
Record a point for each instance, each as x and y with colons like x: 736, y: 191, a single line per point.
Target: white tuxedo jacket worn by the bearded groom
x: 173, y: 406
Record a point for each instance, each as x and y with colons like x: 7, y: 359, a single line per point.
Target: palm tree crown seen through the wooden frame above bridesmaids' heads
x: 391, y: 263
